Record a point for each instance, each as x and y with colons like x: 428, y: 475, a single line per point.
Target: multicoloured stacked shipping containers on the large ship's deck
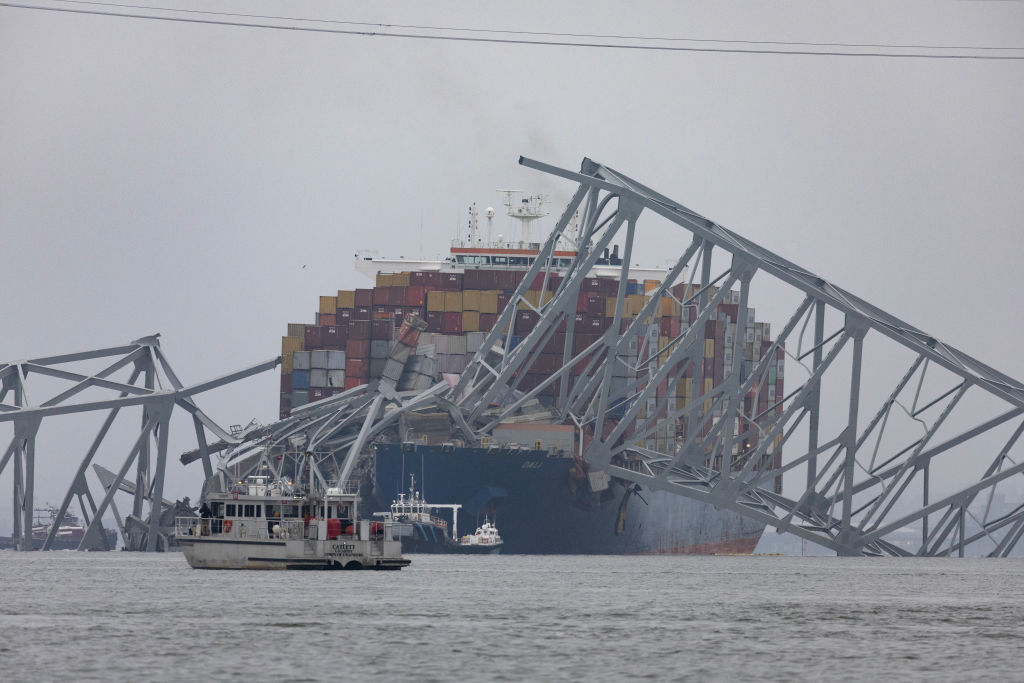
x: 354, y: 331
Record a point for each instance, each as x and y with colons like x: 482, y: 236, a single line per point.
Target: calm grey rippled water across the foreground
x: 125, y: 617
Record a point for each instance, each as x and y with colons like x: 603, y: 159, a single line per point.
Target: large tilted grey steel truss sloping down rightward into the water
x: 843, y: 503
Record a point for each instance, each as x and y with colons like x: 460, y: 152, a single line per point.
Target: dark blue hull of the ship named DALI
x: 530, y: 498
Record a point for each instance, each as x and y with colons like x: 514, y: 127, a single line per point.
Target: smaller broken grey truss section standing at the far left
x: 152, y: 385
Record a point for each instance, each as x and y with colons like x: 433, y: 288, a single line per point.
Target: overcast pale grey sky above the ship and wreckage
x: 209, y: 183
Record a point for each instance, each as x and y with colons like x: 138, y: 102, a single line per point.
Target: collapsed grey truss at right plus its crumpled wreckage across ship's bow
x: 857, y: 487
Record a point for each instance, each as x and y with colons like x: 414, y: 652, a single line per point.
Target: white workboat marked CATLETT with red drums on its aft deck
x: 264, y: 525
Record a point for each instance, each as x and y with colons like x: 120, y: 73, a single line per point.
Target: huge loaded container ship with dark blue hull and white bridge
x: 528, y: 475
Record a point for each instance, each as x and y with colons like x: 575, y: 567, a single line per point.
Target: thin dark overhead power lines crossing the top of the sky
x: 389, y: 31
